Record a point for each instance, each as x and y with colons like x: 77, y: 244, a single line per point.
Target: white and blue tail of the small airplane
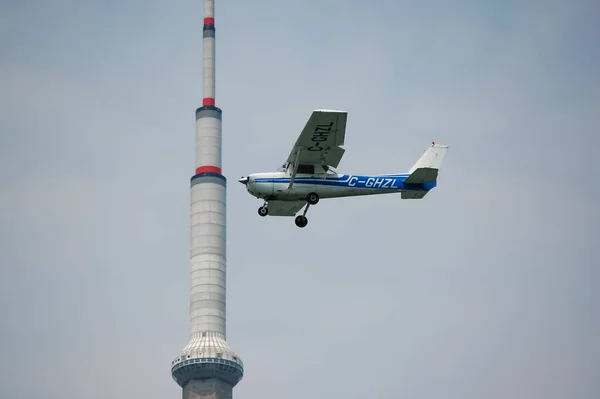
x: 425, y: 171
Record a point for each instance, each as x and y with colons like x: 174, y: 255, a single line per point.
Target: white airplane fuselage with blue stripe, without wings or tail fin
x: 271, y: 186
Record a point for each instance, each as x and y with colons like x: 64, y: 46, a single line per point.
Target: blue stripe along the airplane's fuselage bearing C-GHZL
x: 392, y: 182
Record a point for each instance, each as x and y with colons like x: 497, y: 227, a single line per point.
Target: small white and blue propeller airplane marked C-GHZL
x: 308, y: 175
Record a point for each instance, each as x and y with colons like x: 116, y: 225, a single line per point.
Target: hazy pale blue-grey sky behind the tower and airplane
x: 486, y: 288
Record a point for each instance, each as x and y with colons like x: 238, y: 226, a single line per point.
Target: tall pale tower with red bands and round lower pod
x: 207, y: 367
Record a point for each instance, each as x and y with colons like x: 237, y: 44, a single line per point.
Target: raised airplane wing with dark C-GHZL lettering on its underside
x: 321, y: 139
